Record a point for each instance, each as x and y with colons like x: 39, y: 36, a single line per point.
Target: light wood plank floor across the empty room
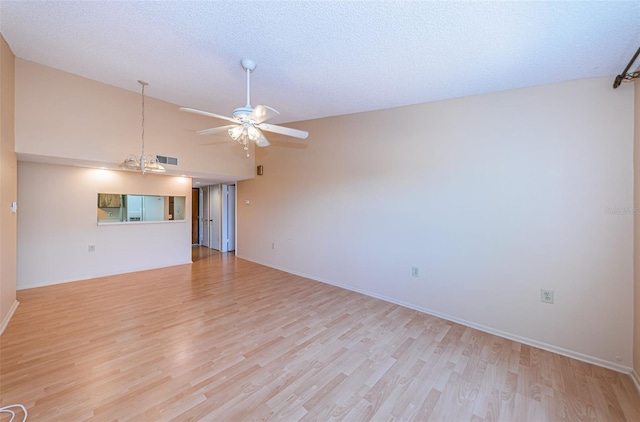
x: 228, y: 340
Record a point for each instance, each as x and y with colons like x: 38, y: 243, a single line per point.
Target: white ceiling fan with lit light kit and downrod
x: 248, y: 122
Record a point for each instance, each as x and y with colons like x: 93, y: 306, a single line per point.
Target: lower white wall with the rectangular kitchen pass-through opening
x: 57, y: 221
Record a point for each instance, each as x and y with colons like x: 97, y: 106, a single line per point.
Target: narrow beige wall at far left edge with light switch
x: 8, y: 186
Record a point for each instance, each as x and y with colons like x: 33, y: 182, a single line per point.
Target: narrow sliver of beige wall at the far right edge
x: 636, y: 251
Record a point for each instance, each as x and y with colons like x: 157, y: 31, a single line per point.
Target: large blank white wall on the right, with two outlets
x: 493, y: 197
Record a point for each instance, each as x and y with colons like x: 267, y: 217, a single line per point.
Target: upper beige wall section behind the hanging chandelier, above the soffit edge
x: 63, y: 118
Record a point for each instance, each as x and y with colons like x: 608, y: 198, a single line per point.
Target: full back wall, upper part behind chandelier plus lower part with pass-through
x: 65, y: 123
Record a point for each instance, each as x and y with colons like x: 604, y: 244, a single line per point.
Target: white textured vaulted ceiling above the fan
x: 324, y: 58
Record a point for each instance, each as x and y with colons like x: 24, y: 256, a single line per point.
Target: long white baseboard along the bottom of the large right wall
x: 524, y: 340
